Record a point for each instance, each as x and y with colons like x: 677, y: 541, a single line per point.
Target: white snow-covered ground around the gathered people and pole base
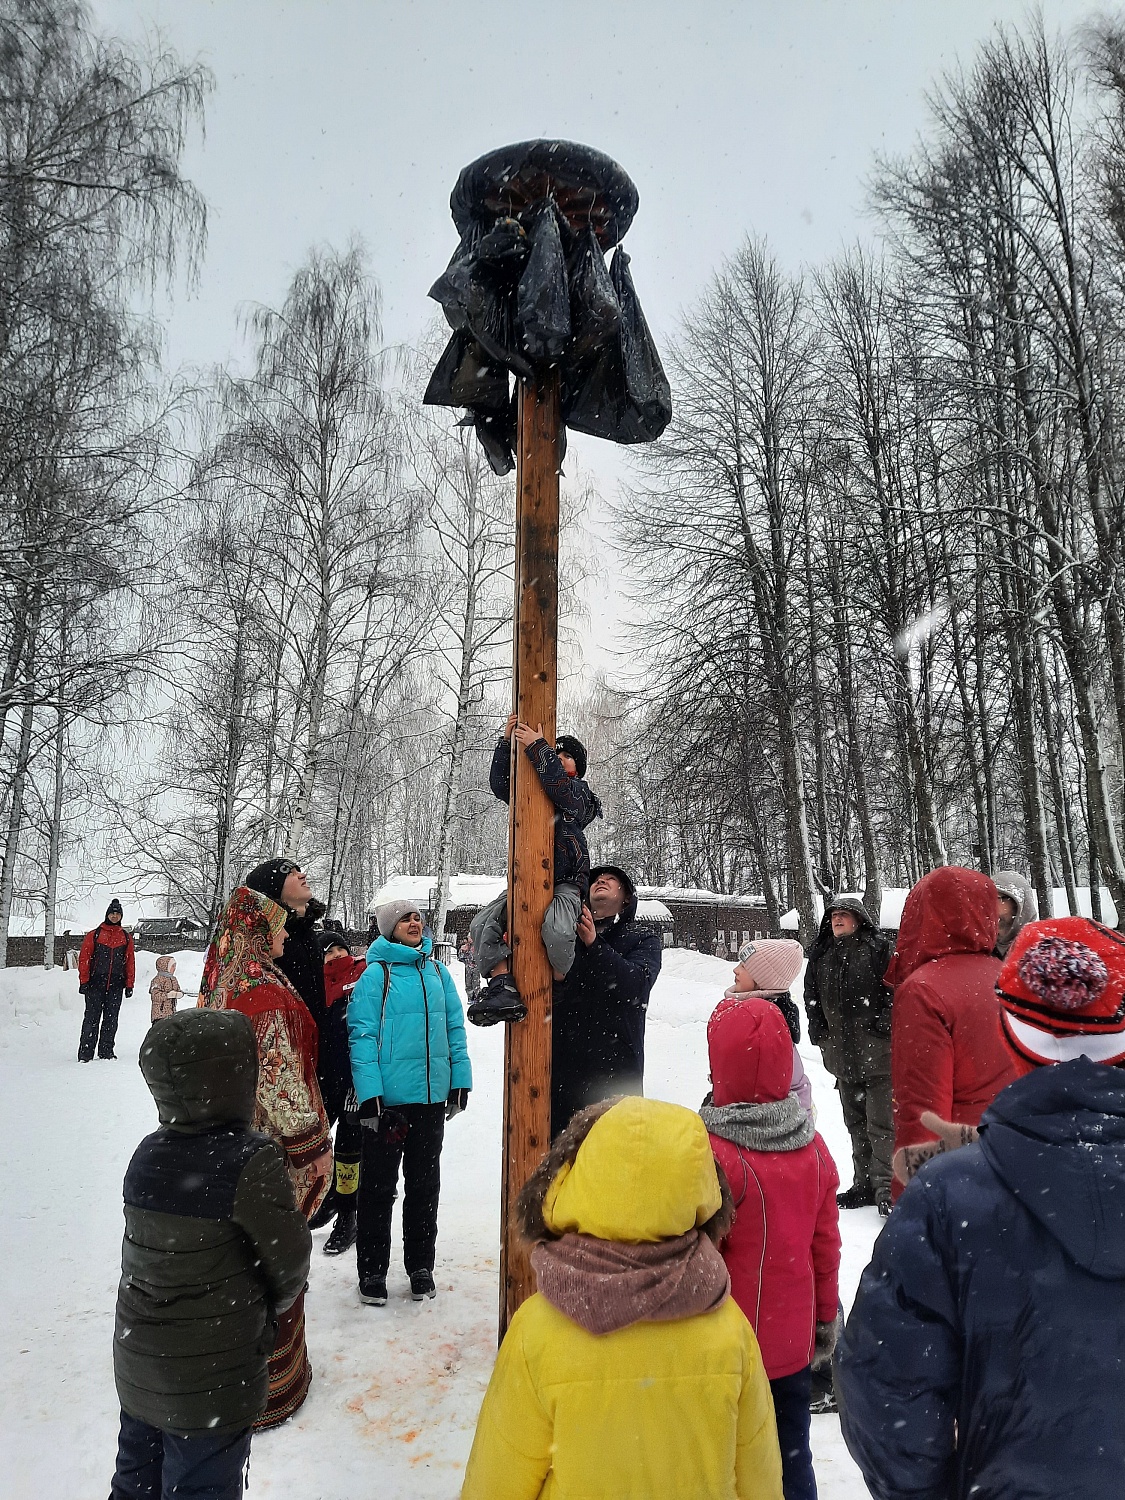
x: 397, y: 1390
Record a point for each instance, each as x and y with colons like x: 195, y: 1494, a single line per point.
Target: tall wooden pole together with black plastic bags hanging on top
x: 529, y: 295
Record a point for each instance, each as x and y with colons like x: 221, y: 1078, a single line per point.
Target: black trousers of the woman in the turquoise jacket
x: 421, y: 1159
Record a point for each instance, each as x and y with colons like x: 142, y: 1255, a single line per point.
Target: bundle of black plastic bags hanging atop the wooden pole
x: 529, y: 289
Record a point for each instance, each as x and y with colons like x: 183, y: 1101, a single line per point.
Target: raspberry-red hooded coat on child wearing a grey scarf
x: 784, y: 1252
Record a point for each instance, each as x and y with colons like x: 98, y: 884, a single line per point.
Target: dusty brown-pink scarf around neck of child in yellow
x: 607, y: 1285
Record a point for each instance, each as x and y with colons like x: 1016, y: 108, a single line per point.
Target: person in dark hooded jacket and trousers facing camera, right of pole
x: 850, y: 1021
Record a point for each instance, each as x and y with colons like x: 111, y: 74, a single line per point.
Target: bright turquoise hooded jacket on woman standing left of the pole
x: 412, y: 1049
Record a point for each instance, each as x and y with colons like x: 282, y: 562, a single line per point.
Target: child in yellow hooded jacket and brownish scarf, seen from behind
x: 631, y: 1370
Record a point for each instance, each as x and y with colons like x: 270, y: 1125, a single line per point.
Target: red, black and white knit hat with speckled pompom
x: 1063, y: 992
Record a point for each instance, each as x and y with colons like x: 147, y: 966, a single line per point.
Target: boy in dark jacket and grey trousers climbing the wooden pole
x: 562, y: 775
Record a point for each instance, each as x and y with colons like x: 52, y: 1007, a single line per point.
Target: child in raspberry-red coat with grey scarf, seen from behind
x: 784, y: 1252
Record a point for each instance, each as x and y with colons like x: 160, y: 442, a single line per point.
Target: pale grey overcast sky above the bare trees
x: 353, y: 118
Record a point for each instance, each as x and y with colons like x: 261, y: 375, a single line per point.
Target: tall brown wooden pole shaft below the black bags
x: 532, y: 827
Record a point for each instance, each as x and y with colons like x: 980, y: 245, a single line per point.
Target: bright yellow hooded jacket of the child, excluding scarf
x: 670, y: 1411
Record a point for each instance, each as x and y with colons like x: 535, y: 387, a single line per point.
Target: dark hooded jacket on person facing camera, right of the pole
x: 845, y: 998
